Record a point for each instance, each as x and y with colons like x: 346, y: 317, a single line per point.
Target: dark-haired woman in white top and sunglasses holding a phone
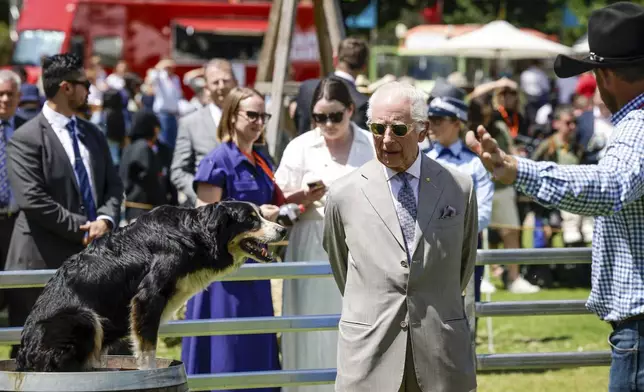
x: 333, y: 149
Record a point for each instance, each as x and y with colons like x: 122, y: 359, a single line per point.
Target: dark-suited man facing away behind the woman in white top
x: 353, y: 56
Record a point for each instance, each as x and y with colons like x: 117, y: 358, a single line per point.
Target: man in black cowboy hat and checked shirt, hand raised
x: 612, y: 190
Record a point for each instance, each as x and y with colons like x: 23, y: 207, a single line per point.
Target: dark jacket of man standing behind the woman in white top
x: 304, y: 100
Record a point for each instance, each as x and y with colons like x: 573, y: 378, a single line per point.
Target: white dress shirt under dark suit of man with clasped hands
x: 58, y: 123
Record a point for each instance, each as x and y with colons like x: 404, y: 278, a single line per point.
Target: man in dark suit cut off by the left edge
x: 9, y: 122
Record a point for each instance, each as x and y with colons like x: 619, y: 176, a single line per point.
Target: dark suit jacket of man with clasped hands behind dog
x: 44, y: 185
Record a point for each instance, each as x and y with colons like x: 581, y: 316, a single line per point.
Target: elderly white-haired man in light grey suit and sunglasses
x: 401, y: 235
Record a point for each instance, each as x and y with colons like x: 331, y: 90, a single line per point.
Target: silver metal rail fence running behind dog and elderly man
x: 322, y: 269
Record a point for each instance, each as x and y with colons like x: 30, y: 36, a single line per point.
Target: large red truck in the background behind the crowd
x: 142, y: 32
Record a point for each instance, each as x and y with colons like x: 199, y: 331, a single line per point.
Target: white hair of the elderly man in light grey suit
x: 395, y: 91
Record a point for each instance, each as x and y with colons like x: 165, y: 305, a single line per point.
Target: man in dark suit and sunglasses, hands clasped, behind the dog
x: 63, y: 180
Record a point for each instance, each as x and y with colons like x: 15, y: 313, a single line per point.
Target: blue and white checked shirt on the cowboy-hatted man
x: 613, y: 192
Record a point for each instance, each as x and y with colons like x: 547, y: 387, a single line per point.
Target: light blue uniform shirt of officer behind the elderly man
x: 462, y: 159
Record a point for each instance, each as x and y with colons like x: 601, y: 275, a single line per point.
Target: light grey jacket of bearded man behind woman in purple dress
x: 197, y: 136
